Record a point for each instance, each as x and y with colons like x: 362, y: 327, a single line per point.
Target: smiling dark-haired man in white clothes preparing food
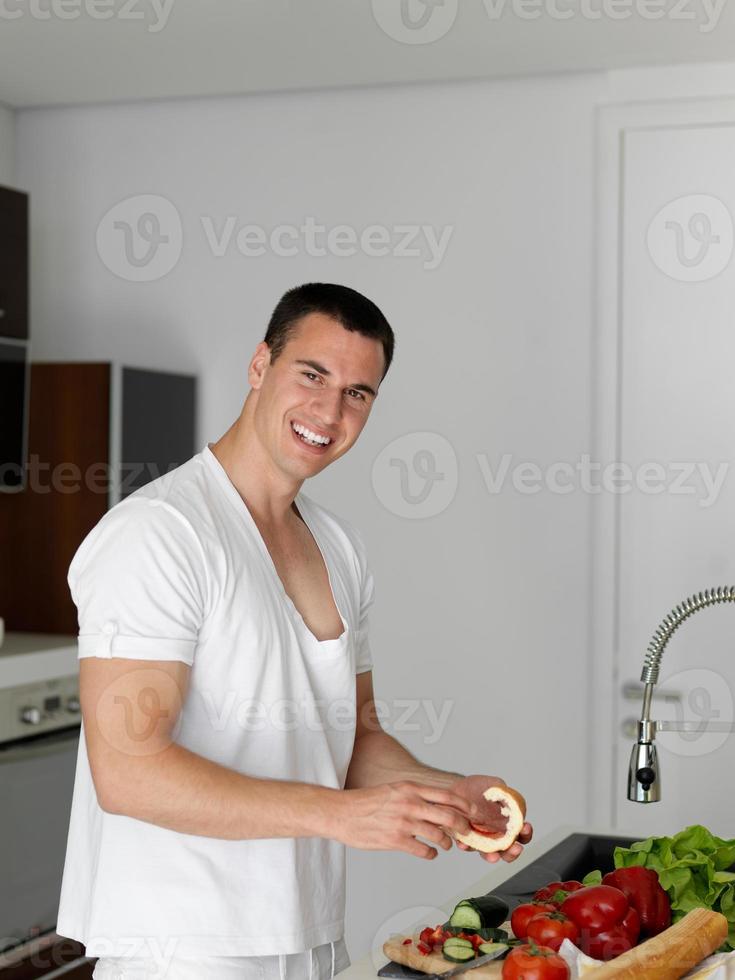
x: 231, y: 748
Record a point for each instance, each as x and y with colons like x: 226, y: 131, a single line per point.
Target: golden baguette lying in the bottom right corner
x: 672, y: 953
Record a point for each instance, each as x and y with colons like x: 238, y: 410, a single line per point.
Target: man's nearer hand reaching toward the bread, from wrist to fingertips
x: 390, y: 817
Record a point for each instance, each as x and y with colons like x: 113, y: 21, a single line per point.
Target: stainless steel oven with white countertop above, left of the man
x: 39, y: 739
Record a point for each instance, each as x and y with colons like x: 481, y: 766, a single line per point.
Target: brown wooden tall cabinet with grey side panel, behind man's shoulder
x: 97, y: 432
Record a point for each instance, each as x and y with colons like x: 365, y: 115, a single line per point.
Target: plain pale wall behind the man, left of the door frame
x: 484, y: 604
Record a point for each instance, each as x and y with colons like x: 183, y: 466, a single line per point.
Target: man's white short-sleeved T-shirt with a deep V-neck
x: 179, y: 571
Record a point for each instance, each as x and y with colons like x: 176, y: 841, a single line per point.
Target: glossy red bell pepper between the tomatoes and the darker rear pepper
x: 608, y: 924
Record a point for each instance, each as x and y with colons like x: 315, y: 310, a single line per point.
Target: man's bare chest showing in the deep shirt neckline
x: 303, y: 574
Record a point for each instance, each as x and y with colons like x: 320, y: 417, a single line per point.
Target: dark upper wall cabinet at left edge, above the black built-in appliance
x: 13, y: 264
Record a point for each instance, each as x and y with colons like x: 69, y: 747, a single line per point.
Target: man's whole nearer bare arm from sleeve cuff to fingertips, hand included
x: 130, y: 709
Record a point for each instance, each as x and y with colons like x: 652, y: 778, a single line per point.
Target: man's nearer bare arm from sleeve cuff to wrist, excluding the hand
x: 130, y: 709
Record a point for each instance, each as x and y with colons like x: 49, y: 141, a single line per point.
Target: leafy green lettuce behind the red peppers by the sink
x: 693, y: 868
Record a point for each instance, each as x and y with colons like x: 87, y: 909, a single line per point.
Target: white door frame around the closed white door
x: 613, y: 123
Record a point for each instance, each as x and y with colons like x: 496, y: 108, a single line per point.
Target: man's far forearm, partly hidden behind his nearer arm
x: 379, y: 758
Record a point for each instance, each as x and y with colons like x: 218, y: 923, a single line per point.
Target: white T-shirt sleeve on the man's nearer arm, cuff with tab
x: 139, y: 583
